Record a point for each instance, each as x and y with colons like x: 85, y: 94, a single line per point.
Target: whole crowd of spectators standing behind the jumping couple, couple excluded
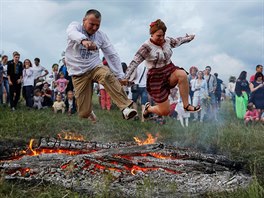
x: 43, y: 89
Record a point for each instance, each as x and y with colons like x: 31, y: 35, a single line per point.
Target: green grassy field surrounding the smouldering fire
x: 229, y: 136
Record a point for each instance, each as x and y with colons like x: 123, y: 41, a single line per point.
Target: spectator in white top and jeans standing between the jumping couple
x: 139, y: 90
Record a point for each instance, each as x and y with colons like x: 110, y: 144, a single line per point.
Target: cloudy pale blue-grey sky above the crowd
x: 229, y: 33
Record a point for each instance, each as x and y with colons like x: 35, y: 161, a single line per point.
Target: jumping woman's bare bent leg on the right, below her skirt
x: 180, y: 77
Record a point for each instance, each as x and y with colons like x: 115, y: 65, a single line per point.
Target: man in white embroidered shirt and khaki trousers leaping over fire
x: 85, y: 66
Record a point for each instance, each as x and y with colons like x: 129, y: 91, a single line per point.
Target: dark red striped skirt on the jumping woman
x: 158, y: 85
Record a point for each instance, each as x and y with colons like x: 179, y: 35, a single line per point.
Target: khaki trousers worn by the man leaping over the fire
x: 83, y: 86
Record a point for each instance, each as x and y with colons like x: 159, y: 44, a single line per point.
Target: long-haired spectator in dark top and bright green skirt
x: 242, y: 92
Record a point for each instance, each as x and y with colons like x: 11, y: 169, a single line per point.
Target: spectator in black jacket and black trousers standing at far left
x: 14, y: 74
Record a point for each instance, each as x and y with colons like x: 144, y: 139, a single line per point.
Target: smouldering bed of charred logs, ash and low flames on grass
x: 125, y: 168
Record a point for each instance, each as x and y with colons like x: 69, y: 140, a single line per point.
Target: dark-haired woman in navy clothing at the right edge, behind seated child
x: 257, y: 91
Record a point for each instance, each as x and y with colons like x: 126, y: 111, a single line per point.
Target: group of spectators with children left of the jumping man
x: 39, y: 89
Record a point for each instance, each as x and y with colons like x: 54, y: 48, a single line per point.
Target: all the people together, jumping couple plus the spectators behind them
x: 159, y: 87
